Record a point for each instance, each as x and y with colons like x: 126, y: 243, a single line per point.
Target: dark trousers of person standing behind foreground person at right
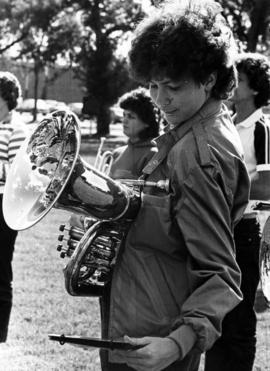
x: 235, y: 350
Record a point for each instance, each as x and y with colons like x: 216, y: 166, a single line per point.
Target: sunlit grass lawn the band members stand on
x: 42, y: 306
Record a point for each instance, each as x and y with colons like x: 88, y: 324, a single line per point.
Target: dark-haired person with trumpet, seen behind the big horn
x: 140, y: 124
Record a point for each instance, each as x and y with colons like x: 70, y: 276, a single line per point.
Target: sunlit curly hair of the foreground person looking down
x: 185, y: 39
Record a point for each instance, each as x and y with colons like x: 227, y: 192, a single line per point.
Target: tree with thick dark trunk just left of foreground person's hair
x: 103, y: 73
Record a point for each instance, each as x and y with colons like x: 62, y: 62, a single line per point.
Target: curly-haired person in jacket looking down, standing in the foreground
x: 177, y: 277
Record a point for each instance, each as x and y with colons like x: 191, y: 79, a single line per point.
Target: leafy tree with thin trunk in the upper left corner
x: 42, y: 33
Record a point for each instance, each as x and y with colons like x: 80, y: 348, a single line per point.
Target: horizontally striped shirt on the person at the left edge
x: 12, y: 134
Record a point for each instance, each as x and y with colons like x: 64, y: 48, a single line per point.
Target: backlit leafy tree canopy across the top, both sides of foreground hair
x: 86, y: 36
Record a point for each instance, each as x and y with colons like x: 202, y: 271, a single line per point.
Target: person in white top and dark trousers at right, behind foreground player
x: 236, y: 348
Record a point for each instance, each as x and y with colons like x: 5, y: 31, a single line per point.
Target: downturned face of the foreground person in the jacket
x: 179, y: 100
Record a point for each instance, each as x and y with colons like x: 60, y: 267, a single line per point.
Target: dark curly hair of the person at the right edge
x: 257, y: 69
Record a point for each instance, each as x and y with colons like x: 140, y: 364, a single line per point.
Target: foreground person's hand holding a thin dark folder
x: 157, y: 354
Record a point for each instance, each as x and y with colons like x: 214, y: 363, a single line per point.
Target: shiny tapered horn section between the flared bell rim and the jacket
x: 92, y: 192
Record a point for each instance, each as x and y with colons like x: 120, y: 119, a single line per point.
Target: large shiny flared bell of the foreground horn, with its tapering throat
x: 48, y: 171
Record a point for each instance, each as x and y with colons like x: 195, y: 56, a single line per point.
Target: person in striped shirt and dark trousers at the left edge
x: 12, y: 133
